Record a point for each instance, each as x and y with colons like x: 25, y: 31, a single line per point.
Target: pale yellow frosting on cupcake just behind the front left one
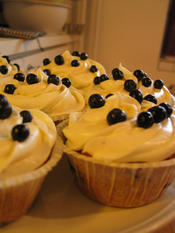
x: 54, y: 100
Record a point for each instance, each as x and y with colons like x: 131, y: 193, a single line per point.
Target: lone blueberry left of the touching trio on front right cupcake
x: 116, y: 115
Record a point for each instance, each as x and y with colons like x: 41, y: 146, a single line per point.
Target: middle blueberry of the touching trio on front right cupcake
x: 159, y: 113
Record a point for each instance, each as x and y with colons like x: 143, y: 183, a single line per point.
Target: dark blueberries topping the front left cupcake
x: 19, y: 132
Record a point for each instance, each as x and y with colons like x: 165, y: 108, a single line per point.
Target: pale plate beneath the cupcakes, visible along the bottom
x: 60, y: 207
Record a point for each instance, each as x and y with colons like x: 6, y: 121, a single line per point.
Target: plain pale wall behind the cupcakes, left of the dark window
x: 127, y: 31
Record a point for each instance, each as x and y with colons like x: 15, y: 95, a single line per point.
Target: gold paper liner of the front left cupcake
x: 18, y: 193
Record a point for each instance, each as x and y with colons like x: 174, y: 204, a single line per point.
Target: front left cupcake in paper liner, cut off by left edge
x: 28, y: 152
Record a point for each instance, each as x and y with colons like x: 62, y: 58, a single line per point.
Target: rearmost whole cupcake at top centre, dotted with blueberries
x: 77, y: 67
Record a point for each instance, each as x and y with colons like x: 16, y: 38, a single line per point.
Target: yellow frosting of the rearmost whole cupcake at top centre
x: 80, y: 76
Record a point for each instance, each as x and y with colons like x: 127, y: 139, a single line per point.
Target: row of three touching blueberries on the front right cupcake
x: 155, y: 114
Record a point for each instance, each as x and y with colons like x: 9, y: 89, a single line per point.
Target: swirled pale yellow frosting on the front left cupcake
x: 20, y: 157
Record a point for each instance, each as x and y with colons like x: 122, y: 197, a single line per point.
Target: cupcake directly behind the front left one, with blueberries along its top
x: 37, y: 90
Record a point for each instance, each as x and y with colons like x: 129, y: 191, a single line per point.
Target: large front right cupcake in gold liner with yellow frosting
x: 120, y: 148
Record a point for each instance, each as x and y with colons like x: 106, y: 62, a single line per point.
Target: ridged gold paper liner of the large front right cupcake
x: 120, y: 184
